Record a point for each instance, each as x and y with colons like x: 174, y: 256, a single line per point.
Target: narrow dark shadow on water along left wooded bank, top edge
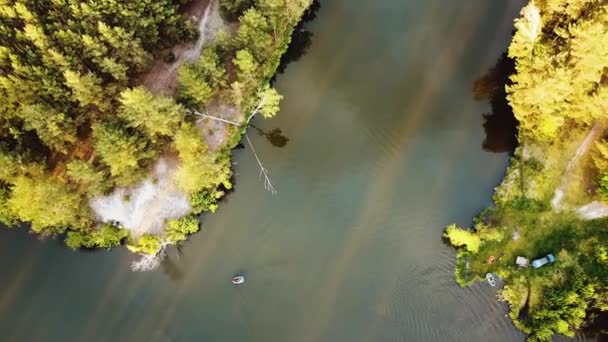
x: 301, y: 40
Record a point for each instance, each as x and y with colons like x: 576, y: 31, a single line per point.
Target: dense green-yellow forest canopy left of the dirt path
x: 70, y: 127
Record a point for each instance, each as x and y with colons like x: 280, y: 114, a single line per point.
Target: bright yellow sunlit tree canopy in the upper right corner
x: 561, y: 61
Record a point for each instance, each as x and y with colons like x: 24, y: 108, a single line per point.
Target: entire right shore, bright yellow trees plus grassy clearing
x: 554, y: 194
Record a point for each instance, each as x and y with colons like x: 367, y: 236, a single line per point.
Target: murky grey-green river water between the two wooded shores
x: 384, y: 150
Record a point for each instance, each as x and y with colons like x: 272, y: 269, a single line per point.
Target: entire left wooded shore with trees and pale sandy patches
x: 92, y: 143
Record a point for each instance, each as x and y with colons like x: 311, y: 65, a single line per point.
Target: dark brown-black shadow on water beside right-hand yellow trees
x: 500, y: 124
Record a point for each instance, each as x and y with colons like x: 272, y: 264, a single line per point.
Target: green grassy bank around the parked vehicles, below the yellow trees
x: 525, y: 224
